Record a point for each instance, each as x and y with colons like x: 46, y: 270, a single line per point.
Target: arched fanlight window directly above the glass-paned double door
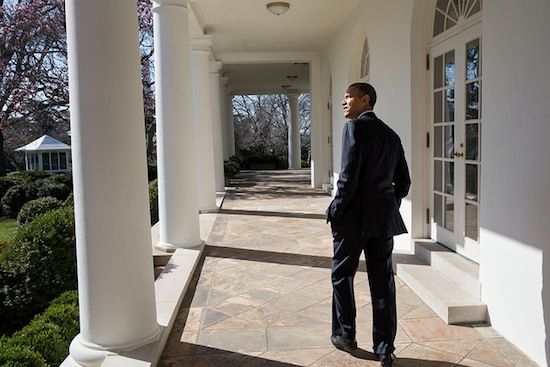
x: 449, y: 12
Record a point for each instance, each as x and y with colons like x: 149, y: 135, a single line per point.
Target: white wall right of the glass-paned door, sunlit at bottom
x: 515, y: 172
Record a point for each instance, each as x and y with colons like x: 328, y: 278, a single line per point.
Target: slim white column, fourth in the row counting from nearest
x: 215, y: 68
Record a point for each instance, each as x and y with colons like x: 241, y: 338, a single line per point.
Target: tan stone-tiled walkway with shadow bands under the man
x: 261, y: 295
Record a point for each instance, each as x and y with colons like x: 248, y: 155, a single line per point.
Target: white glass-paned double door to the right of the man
x: 456, y: 149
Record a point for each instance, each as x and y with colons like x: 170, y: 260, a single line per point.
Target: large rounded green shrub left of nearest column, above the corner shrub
x: 39, y: 265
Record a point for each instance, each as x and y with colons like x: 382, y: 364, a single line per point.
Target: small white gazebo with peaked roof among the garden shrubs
x: 46, y: 154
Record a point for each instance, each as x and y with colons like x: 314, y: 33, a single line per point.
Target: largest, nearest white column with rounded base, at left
x: 113, y: 236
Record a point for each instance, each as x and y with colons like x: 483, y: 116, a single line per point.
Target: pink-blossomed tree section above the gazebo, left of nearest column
x: 33, y: 67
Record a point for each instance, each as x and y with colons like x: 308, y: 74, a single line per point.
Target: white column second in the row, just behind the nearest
x: 177, y: 177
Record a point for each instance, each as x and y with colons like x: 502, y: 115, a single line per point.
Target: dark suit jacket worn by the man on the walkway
x: 374, y: 176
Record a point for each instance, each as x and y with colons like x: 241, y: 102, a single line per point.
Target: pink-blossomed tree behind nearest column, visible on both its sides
x: 34, y: 95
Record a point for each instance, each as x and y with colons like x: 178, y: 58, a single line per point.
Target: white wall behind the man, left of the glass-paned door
x: 387, y: 24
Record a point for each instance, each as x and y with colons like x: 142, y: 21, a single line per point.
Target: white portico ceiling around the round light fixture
x: 259, y: 50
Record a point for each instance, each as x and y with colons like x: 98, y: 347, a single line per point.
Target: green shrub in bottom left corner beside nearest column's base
x: 47, y: 337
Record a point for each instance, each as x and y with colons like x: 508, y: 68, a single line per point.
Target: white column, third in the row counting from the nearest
x: 202, y: 99
